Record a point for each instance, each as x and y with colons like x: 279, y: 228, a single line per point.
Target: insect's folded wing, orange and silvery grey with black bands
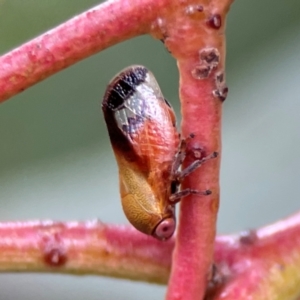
x: 140, y: 121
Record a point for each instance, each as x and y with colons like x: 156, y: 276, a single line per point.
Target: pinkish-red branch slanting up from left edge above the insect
x: 98, y: 28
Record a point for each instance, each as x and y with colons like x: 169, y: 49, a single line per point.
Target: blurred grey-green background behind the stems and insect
x: 55, y: 157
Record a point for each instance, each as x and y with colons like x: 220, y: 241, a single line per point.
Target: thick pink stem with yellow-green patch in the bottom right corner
x: 262, y: 264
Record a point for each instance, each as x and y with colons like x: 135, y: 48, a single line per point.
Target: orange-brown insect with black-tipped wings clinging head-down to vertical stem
x: 142, y: 129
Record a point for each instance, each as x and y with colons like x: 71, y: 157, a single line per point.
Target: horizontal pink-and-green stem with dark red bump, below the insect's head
x: 83, y: 248
